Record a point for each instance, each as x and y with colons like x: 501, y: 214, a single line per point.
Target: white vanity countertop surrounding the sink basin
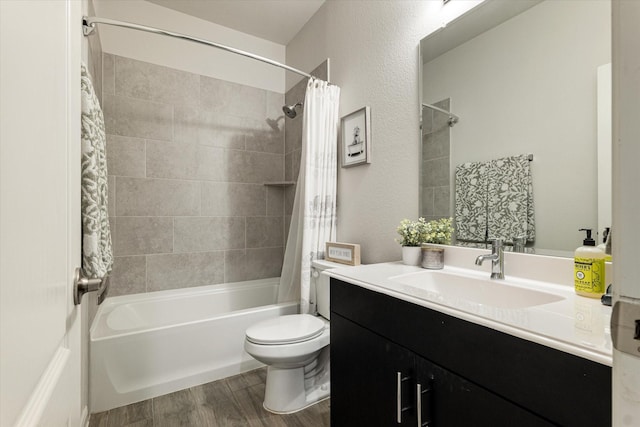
x: 574, y: 324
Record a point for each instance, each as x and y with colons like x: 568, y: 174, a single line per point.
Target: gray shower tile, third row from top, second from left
x: 173, y: 161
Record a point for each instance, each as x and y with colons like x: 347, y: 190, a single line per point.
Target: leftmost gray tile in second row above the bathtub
x: 143, y: 235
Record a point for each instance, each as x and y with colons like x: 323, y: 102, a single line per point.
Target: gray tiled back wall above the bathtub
x: 188, y: 156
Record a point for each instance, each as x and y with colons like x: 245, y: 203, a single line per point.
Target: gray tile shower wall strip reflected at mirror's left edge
x: 435, y: 185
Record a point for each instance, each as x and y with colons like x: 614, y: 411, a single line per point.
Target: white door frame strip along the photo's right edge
x: 626, y: 202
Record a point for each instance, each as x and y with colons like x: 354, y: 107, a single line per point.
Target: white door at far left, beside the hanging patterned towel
x: 39, y: 212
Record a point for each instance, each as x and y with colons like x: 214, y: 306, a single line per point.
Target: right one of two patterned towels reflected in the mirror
x: 510, y: 204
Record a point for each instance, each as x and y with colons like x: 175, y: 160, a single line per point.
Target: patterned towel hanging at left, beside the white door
x: 97, y: 256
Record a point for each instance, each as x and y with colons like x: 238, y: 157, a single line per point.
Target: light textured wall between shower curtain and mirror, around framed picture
x: 373, y: 47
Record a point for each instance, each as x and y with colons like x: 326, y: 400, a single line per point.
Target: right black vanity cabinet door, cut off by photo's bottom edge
x: 451, y: 401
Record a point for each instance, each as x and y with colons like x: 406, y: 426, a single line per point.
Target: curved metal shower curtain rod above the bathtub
x: 89, y: 24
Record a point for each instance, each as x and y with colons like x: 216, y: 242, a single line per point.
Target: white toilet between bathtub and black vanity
x: 295, y: 349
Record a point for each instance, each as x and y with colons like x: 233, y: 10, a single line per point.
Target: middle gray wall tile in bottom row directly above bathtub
x: 173, y: 271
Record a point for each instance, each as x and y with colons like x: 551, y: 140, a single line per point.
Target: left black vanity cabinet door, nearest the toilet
x: 372, y: 379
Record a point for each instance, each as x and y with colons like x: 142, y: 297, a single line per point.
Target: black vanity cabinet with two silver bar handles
x: 398, y: 363
